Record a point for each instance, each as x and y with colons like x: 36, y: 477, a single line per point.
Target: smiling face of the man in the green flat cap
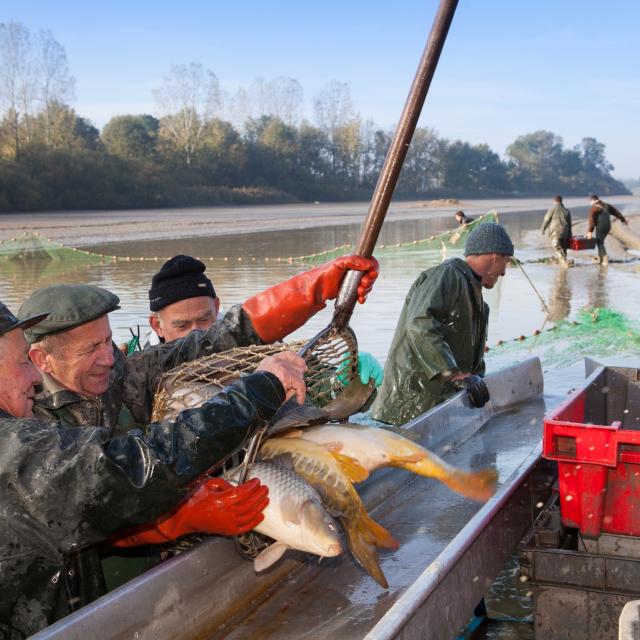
x: 82, y: 358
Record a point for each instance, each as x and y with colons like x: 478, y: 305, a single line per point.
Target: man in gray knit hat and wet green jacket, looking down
x: 438, y: 346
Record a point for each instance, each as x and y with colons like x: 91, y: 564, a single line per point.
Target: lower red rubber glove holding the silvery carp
x: 214, y: 507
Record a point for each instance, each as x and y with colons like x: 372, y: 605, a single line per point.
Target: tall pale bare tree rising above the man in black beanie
x: 188, y: 98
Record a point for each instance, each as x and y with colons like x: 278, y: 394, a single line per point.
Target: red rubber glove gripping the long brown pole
x: 283, y: 308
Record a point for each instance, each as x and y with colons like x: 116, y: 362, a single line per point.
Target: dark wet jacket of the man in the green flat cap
x: 134, y: 379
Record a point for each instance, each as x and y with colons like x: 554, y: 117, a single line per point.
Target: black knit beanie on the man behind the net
x: 180, y: 278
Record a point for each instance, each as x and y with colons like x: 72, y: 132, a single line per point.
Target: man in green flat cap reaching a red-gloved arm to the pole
x: 87, y: 380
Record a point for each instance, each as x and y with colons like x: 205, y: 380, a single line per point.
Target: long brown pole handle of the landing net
x: 395, y: 158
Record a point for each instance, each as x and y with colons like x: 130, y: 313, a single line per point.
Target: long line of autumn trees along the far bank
x: 205, y: 147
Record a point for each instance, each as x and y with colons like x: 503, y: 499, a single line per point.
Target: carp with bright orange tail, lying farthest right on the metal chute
x: 374, y: 448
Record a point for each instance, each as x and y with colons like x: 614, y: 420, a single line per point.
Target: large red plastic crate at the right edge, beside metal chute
x: 598, y: 464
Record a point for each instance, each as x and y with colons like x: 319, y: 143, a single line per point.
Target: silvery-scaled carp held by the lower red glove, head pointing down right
x: 295, y: 517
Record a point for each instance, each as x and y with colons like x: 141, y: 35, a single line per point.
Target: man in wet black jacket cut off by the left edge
x: 64, y: 490
